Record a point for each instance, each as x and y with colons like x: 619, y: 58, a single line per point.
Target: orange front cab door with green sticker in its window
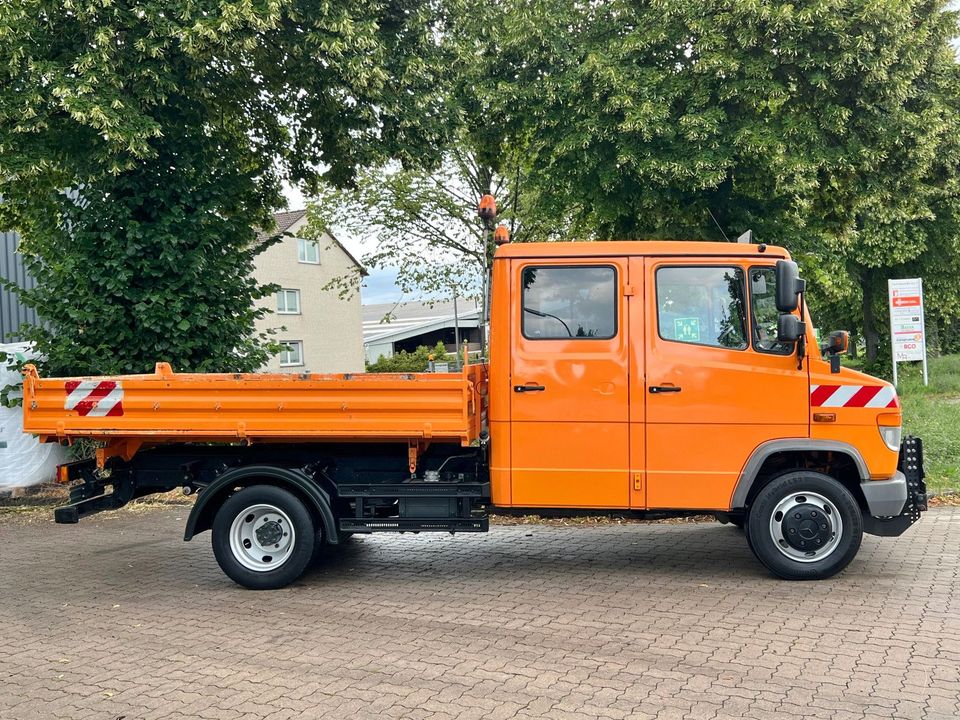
x: 718, y: 384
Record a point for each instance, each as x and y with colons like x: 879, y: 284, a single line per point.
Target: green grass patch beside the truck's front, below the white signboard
x: 933, y: 413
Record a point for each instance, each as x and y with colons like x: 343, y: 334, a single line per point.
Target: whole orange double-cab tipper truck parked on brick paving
x: 641, y: 378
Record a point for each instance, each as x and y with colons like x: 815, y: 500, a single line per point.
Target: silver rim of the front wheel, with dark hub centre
x: 786, y: 538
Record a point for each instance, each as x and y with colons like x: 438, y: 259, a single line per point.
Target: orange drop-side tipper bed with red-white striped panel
x: 169, y: 407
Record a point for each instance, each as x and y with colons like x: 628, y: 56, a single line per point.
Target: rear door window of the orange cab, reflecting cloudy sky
x: 569, y: 302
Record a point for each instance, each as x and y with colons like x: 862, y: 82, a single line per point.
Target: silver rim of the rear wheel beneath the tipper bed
x: 262, y: 537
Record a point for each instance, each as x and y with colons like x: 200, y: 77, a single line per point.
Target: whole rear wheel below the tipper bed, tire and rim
x: 296, y: 547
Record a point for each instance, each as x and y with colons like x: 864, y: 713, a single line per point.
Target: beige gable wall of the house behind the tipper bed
x: 330, y: 328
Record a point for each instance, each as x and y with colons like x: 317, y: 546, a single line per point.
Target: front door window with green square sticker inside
x: 702, y: 306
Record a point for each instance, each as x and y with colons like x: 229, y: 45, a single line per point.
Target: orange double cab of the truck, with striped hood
x: 651, y: 376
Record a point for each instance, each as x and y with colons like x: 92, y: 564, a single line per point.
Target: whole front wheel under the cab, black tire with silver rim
x: 810, y: 509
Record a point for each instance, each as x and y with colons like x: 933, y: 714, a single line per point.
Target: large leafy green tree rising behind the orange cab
x: 817, y: 124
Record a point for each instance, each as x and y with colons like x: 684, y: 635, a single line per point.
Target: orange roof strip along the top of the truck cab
x: 619, y: 248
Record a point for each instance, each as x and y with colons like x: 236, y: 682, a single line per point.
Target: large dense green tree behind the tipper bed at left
x: 141, y: 145
